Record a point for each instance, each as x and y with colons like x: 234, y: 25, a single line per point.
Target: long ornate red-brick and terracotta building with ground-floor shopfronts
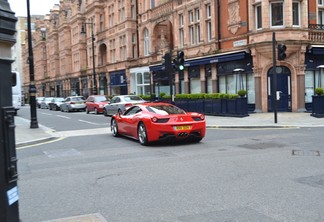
x: 228, y: 46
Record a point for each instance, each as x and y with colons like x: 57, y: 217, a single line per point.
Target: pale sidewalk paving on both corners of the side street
x: 27, y: 136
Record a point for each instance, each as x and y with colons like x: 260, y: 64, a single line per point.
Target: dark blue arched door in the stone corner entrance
x: 283, y: 90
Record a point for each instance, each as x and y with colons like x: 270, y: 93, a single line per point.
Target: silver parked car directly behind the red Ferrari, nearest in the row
x: 121, y: 103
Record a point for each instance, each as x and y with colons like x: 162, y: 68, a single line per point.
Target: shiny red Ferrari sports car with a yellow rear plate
x: 157, y: 121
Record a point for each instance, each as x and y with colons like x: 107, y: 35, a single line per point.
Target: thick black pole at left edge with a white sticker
x: 8, y: 161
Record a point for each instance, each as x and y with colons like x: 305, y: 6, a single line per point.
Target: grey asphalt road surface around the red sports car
x: 232, y: 175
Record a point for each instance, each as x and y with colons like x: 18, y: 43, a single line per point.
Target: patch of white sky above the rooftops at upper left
x: 37, y: 7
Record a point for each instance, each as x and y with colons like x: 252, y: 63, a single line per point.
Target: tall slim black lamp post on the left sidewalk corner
x: 32, y: 88
